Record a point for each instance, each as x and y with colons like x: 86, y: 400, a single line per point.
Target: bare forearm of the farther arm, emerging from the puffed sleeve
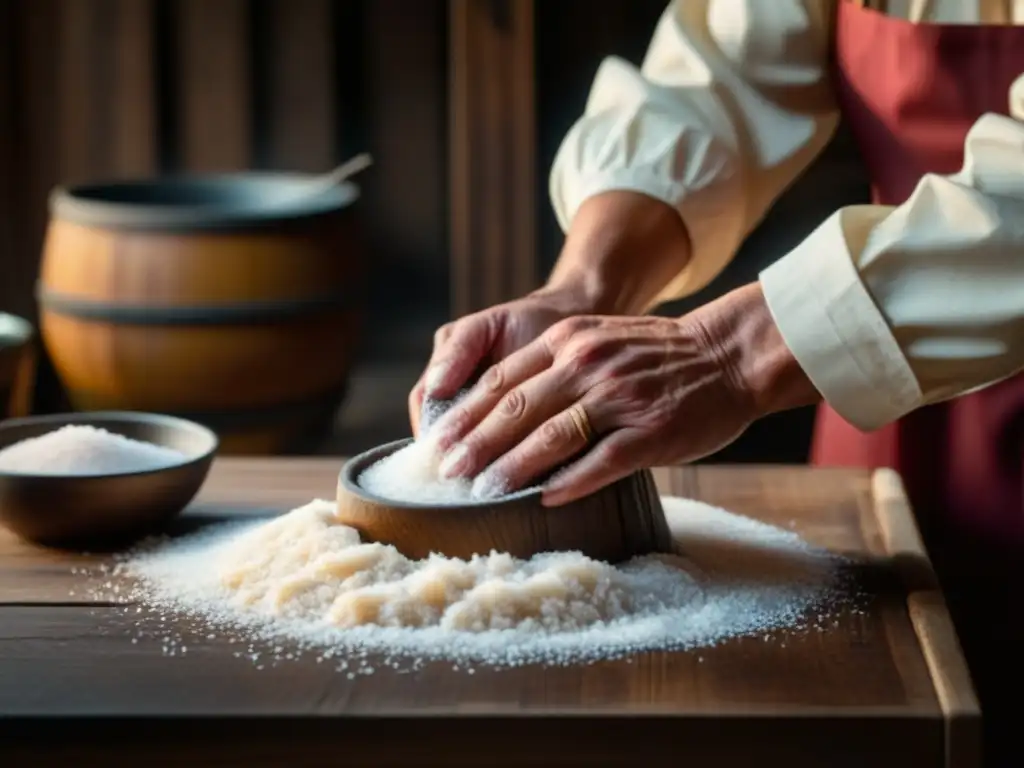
x: 623, y: 249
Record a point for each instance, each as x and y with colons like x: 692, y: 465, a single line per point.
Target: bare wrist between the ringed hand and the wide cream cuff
x: 762, y: 368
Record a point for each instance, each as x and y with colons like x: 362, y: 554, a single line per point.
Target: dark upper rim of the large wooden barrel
x: 86, y: 204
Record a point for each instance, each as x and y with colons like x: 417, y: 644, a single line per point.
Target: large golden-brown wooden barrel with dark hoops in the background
x: 231, y: 301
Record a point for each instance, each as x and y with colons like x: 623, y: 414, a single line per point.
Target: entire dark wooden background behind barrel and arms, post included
x: 462, y: 103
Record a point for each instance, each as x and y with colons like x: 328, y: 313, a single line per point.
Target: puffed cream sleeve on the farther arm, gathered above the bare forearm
x: 733, y: 103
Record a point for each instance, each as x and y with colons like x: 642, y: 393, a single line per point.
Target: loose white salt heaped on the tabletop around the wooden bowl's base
x: 307, y: 578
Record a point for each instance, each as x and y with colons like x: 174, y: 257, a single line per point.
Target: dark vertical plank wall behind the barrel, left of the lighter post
x: 112, y: 89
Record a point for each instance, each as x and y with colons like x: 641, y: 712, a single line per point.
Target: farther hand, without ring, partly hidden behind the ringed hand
x: 466, y: 346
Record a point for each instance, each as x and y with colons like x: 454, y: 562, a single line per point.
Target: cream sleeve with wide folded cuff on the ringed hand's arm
x: 888, y: 310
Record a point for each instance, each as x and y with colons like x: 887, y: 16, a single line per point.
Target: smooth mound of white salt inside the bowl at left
x: 82, y: 450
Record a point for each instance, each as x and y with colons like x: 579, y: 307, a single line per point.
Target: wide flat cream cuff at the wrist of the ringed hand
x: 841, y: 340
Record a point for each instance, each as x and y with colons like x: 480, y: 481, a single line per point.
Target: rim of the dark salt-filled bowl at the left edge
x: 93, y: 417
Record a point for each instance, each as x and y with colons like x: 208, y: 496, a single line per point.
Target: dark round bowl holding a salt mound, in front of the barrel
x: 103, y: 513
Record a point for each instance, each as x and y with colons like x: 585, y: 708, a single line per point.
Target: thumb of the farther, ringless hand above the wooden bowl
x: 460, y: 354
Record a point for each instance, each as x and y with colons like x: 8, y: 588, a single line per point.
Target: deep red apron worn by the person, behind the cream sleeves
x: 910, y: 94
